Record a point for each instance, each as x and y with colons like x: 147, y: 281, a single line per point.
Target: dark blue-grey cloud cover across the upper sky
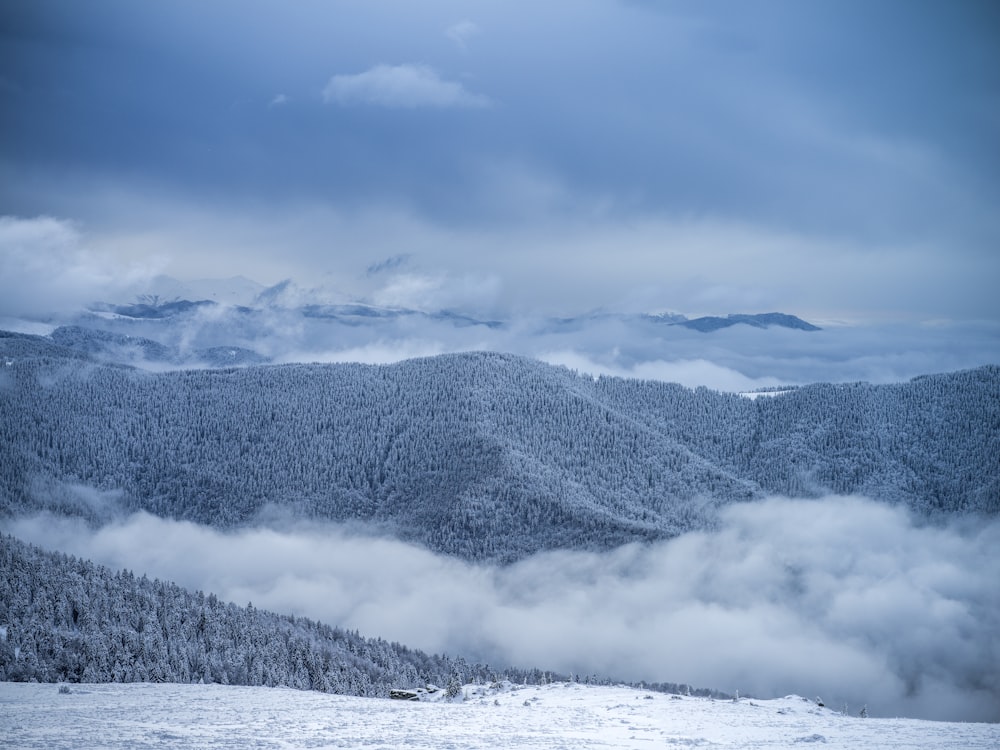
x: 750, y: 114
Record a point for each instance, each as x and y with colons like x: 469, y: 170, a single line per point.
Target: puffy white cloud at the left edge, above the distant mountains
x: 46, y: 268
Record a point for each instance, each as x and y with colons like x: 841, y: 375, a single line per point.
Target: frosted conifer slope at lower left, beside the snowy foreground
x: 63, y: 619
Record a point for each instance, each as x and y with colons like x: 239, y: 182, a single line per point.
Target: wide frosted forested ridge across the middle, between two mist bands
x: 482, y: 455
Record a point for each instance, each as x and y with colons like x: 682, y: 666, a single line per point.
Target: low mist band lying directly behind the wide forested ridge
x: 738, y: 358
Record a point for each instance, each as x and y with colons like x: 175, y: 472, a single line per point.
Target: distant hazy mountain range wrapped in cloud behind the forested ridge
x: 235, y: 322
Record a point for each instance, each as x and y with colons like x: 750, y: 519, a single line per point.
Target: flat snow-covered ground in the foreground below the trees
x: 560, y: 715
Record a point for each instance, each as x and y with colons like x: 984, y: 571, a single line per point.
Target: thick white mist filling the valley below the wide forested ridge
x: 842, y: 598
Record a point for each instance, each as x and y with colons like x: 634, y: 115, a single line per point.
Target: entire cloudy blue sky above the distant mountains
x: 834, y: 160
